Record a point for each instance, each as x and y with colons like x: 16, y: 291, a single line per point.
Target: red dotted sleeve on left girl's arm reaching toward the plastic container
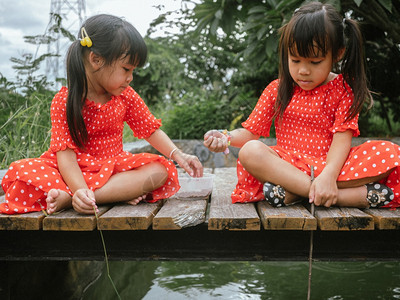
x: 138, y: 116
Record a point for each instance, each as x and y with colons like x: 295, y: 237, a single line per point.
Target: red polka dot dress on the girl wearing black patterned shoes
x: 305, y: 134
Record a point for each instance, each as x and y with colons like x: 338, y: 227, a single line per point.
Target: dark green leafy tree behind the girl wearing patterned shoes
x: 254, y: 25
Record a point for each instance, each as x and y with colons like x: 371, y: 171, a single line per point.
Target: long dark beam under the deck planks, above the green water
x: 199, y: 243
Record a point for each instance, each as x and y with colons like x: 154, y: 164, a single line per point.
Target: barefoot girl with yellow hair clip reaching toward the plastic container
x: 85, y: 164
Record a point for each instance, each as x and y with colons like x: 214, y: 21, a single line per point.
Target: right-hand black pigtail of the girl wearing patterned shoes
x: 353, y: 67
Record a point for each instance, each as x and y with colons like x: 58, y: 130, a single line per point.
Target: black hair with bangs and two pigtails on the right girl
x: 319, y: 26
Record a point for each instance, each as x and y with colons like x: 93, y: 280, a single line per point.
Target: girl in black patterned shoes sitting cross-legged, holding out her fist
x: 316, y: 114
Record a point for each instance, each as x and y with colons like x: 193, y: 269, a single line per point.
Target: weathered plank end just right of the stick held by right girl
x: 343, y: 219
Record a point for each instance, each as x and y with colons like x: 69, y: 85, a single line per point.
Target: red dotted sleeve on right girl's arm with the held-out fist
x: 260, y: 120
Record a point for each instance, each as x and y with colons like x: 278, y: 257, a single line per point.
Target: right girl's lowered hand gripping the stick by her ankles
x: 324, y: 190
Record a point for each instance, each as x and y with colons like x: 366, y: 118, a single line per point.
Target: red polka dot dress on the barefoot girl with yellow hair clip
x: 28, y: 181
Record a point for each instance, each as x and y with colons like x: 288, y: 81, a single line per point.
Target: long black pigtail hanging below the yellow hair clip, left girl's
x: 77, y: 93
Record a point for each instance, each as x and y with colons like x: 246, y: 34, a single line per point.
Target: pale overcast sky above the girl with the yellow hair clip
x: 19, y: 18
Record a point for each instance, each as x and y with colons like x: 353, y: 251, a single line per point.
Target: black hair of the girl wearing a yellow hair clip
x: 112, y: 38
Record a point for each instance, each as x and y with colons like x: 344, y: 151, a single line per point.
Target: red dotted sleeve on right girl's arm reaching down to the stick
x: 346, y: 98
